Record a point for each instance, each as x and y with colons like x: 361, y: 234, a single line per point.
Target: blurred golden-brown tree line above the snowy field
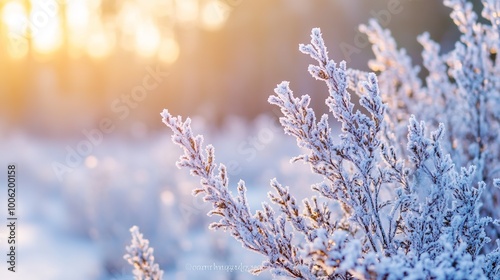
x: 227, y: 58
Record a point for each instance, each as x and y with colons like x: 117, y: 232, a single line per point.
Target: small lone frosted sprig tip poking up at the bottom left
x: 140, y: 256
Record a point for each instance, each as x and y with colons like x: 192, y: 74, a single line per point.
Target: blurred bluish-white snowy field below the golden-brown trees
x: 77, y: 227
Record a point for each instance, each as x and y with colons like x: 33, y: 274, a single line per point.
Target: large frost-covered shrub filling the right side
x: 409, y: 200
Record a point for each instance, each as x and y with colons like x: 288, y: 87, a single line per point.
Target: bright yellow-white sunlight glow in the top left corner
x: 88, y: 27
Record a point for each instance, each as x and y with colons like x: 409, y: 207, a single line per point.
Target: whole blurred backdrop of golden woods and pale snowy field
x: 223, y: 59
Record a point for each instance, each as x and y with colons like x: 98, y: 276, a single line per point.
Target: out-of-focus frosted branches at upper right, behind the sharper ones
x: 462, y: 91
